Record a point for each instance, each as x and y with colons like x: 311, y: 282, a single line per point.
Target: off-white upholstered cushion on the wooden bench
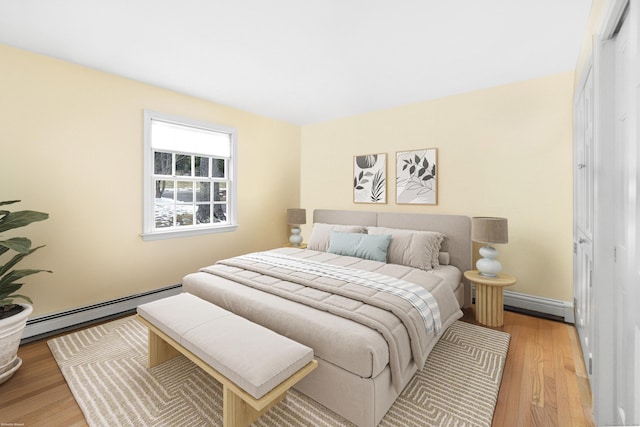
x: 252, y: 356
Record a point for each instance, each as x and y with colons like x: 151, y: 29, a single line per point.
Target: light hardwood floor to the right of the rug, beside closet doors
x: 544, y: 382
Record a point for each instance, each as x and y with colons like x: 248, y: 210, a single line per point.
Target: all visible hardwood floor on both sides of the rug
x: 544, y: 381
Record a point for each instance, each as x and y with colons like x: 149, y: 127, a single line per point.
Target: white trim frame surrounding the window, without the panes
x: 149, y: 188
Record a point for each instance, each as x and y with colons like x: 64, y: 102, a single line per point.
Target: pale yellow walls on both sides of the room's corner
x: 71, y: 140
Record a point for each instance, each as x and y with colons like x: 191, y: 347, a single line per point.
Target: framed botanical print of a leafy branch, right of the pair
x: 416, y: 177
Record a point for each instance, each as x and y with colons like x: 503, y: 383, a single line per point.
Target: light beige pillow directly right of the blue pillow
x: 413, y: 248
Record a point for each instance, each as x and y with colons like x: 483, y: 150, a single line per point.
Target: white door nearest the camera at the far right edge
x: 626, y: 286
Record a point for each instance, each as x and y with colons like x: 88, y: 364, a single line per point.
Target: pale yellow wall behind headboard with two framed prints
x: 504, y: 151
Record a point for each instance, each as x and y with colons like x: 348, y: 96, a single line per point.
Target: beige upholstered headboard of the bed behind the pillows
x: 457, y: 229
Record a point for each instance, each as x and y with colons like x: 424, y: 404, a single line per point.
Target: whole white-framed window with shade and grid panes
x: 189, y: 177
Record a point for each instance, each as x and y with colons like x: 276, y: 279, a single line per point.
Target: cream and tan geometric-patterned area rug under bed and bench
x: 106, y: 369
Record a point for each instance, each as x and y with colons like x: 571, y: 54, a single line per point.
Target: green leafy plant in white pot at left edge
x: 13, y: 316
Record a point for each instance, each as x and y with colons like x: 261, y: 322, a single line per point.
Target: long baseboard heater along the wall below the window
x: 42, y: 326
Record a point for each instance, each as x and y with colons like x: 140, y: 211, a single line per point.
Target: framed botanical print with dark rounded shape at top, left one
x: 370, y: 178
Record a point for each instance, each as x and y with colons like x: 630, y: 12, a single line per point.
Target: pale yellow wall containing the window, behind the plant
x: 71, y: 141
